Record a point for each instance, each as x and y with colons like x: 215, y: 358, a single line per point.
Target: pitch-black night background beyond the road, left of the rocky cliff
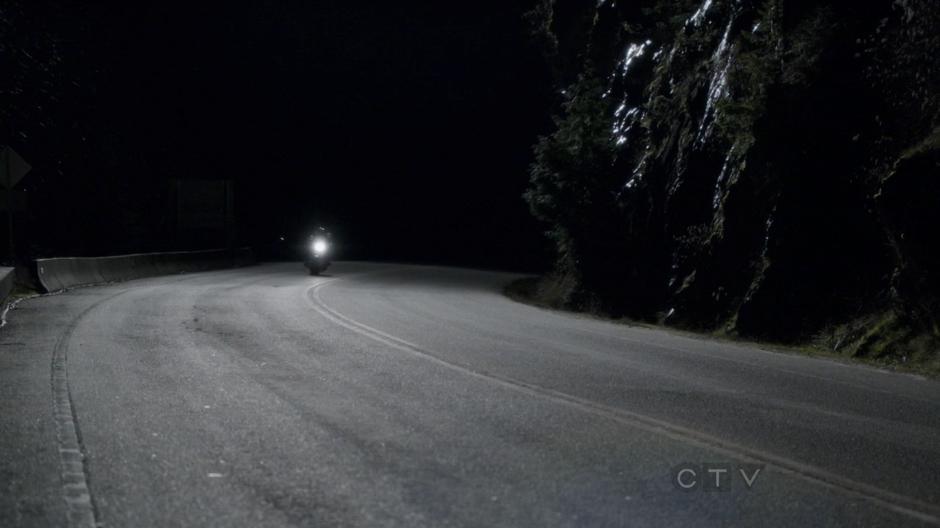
x: 403, y: 127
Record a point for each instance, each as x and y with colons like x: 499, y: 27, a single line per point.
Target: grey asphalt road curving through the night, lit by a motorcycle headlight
x: 392, y: 395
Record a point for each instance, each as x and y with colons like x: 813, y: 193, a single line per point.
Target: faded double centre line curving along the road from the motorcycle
x: 901, y: 504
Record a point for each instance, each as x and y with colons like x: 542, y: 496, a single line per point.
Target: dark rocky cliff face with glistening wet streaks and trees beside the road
x: 764, y: 167
